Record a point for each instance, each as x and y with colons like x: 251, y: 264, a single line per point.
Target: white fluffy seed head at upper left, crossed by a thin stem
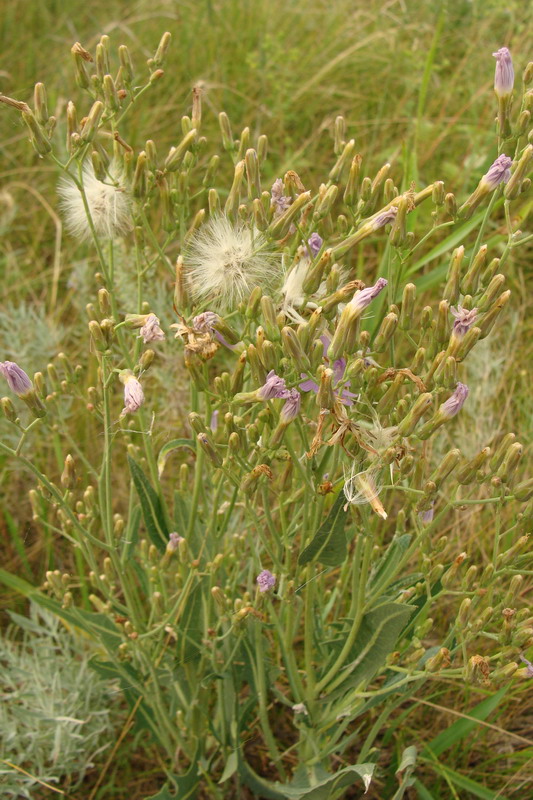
x: 109, y: 204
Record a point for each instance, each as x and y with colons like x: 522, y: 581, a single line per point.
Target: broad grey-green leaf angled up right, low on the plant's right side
x: 377, y: 637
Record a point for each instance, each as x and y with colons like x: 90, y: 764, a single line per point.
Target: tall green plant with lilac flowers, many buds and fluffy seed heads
x: 267, y: 593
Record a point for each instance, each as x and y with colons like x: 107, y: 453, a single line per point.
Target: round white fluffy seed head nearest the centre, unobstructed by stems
x: 225, y: 261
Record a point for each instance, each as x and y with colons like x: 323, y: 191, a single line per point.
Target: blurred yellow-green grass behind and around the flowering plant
x: 412, y: 78
